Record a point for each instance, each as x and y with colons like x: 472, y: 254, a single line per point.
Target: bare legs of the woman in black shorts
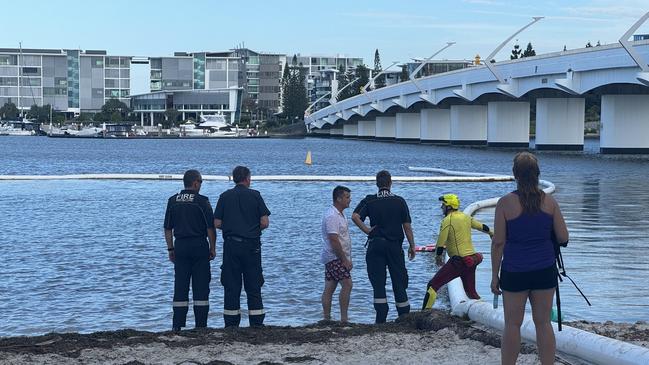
x: 514, y: 308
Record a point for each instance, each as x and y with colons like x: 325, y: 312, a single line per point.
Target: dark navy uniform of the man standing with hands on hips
x: 387, y: 213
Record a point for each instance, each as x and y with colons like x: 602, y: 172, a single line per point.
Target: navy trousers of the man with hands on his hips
x: 381, y: 254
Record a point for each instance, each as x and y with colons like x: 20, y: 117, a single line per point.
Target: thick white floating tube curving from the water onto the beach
x: 582, y: 344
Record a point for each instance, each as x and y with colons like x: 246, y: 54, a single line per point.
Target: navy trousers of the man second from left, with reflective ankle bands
x: 242, y: 260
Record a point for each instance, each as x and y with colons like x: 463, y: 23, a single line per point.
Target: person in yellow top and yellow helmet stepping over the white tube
x: 455, y: 237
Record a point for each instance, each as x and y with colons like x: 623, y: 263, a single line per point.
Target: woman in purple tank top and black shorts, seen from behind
x: 523, y: 261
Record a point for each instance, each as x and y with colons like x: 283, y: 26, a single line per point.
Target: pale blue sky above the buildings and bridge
x: 400, y: 30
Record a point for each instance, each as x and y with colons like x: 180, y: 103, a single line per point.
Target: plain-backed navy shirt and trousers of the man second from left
x: 240, y: 210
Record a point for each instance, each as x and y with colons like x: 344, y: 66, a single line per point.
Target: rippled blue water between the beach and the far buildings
x: 90, y: 255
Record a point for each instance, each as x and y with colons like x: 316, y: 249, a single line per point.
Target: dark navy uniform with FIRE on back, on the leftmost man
x: 189, y: 215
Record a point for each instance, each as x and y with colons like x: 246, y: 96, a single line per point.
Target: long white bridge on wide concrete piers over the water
x: 490, y: 104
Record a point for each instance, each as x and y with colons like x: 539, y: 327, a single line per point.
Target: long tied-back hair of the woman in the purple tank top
x: 526, y: 171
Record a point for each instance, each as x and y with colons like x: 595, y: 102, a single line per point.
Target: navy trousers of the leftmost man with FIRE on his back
x: 192, y: 265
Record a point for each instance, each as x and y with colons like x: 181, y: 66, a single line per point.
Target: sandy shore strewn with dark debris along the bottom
x: 413, y: 339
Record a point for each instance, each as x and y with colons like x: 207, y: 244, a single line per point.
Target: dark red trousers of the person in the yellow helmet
x: 464, y: 267
